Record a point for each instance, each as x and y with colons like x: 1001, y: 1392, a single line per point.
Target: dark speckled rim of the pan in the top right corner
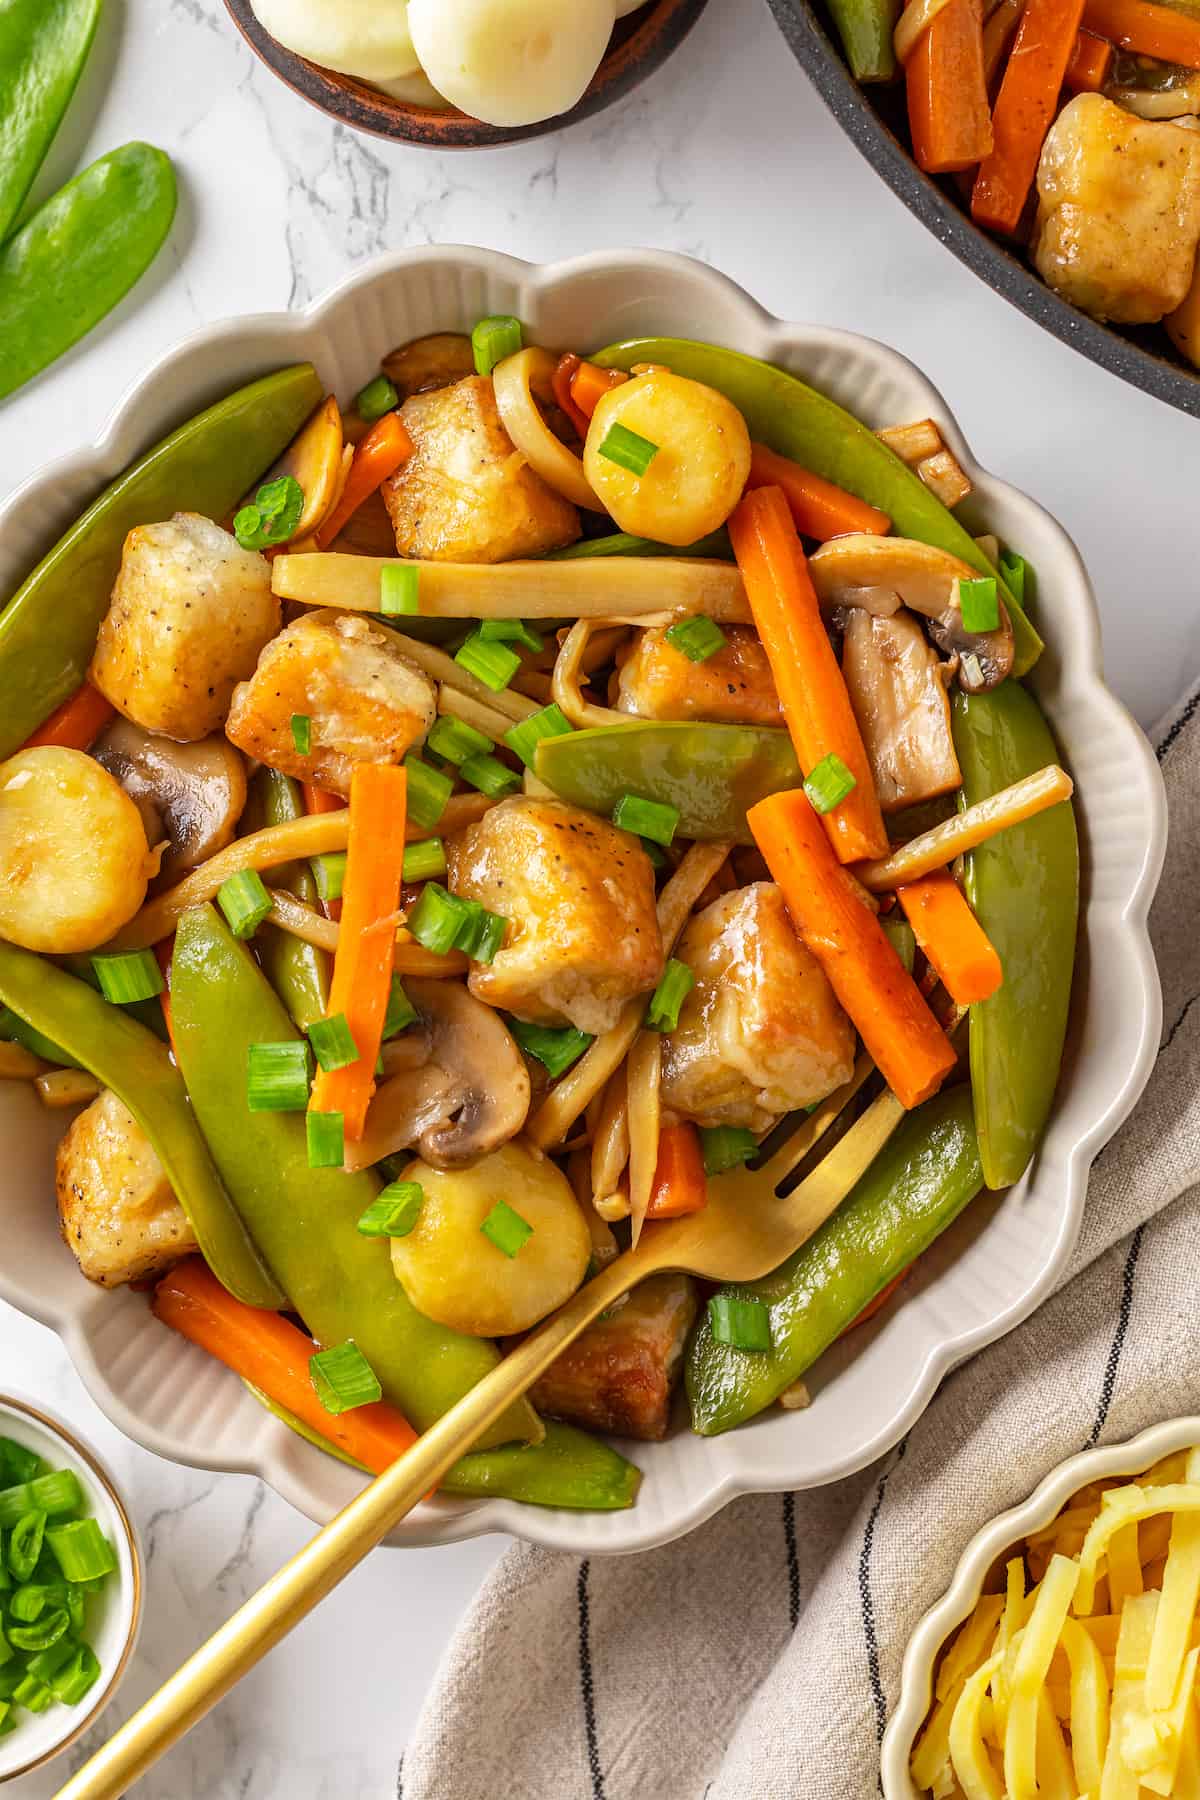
x: 1115, y: 350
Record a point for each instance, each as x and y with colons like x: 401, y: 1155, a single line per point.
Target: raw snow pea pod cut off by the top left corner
x: 44, y: 46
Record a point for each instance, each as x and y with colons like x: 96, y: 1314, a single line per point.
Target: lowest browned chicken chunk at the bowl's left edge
x: 116, y: 1205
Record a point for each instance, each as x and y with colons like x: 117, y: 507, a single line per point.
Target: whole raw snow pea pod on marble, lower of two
x: 82, y: 253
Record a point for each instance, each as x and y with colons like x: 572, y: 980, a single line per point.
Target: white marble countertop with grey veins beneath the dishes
x: 731, y: 157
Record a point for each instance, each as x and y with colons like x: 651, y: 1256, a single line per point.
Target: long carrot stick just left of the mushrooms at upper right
x: 809, y: 679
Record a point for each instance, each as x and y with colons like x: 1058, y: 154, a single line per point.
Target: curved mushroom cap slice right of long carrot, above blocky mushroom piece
x: 861, y: 570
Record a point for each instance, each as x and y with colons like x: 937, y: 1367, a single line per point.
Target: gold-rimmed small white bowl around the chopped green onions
x: 114, y: 1615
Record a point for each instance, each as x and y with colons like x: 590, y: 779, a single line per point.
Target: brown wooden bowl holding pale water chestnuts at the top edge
x: 640, y: 44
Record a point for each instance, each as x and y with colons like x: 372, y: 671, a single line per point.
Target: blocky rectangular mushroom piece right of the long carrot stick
x: 897, y: 688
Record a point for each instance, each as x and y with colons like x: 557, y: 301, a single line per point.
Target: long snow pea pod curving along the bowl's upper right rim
x: 798, y: 422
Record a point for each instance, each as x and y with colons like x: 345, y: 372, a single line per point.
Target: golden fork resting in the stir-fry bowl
x: 746, y: 1232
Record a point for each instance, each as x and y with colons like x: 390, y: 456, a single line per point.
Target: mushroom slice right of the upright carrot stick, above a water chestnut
x: 456, y: 1086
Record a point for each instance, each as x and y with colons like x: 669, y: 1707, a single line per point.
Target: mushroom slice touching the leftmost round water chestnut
x: 190, y: 795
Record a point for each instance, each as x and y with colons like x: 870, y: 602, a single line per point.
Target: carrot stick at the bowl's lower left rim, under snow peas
x: 267, y: 1351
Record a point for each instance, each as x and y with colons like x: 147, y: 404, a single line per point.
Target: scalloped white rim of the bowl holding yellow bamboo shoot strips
x: 1005, y: 1533
